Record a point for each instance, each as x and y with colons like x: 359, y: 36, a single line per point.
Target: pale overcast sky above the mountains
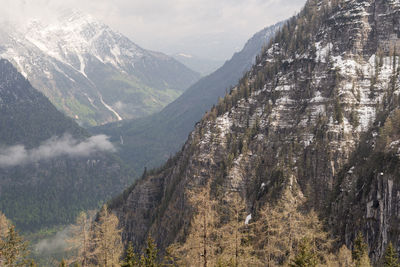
x: 207, y: 28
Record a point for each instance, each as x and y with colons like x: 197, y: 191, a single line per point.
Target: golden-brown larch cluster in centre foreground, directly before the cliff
x: 283, y: 233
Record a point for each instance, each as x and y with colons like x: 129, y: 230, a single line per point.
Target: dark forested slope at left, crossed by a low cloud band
x: 48, y: 192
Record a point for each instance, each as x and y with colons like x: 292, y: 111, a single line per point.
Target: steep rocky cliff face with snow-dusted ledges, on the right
x: 298, y: 116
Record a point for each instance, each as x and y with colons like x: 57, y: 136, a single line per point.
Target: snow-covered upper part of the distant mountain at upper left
x: 76, y: 36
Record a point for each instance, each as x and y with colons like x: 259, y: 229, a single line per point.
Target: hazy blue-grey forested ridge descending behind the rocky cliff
x: 150, y: 141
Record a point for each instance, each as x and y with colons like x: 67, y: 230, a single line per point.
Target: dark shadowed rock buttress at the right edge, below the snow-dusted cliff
x: 366, y: 197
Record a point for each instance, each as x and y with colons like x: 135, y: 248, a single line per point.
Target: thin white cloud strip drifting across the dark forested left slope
x: 54, y: 147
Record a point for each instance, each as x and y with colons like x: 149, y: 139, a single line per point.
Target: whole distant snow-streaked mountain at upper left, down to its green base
x: 92, y: 73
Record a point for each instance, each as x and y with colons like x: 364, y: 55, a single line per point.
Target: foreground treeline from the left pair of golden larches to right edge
x: 221, y: 234
